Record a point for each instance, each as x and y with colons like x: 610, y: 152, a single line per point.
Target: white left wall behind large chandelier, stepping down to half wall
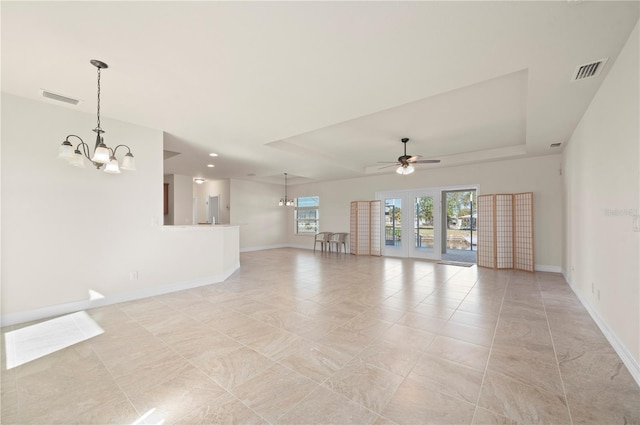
x: 67, y: 230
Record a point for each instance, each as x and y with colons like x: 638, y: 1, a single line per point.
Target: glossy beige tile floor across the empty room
x: 295, y: 337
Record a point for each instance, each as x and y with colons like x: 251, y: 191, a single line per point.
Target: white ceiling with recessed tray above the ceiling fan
x: 321, y: 90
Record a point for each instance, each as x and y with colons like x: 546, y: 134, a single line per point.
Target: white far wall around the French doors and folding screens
x: 540, y: 175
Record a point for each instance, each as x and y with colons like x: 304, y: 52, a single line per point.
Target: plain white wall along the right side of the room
x: 602, y: 185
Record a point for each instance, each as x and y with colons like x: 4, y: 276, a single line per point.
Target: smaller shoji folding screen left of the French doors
x: 365, y: 238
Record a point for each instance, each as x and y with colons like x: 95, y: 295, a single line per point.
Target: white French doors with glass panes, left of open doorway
x: 411, y: 226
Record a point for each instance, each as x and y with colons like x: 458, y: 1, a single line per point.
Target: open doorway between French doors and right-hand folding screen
x: 460, y: 234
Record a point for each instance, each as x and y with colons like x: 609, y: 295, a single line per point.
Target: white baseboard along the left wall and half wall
x: 60, y: 309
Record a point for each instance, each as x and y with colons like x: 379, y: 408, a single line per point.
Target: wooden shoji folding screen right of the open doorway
x: 505, y: 231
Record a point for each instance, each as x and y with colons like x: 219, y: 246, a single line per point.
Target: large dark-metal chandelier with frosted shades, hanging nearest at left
x: 102, y: 154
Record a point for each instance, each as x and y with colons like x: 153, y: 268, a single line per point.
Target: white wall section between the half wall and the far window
x: 254, y: 206
